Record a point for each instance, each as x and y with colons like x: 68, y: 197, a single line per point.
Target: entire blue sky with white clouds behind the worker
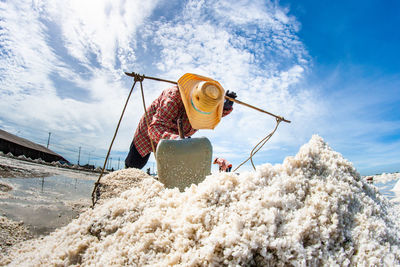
x: 331, y: 67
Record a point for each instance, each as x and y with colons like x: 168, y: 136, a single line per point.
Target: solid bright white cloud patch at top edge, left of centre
x: 104, y: 30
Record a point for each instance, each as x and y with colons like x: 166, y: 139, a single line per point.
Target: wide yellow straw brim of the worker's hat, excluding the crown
x: 199, y: 120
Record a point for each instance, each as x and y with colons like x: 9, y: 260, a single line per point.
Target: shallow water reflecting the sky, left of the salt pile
x: 45, y: 203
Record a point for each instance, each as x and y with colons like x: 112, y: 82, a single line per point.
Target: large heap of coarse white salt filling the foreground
x: 312, y: 210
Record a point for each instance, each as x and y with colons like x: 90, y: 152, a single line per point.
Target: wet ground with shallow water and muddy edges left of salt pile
x: 36, y: 199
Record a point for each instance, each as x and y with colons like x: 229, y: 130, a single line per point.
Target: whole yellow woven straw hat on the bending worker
x: 203, y: 99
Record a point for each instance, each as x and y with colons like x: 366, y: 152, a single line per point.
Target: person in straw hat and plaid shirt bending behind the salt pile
x: 197, y: 101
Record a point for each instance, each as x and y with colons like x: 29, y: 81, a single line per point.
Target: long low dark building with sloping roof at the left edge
x: 21, y: 146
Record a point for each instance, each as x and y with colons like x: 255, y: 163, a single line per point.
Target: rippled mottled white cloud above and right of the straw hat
x: 253, y: 51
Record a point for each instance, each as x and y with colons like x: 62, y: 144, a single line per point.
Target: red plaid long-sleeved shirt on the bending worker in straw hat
x: 163, y: 115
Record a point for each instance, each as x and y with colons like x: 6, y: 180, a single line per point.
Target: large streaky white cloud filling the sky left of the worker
x: 31, y: 54
